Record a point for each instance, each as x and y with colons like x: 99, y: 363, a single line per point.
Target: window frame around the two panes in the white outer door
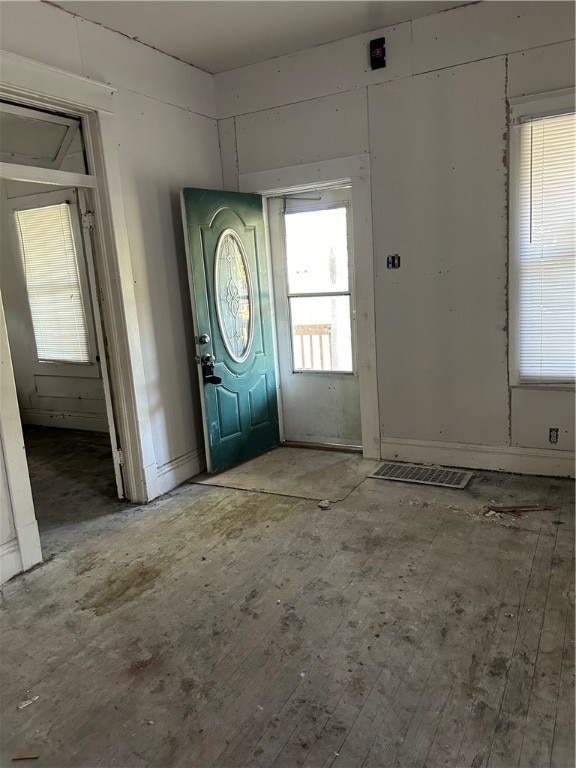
x: 327, y: 199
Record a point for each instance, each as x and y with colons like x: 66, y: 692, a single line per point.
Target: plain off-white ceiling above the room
x: 217, y: 35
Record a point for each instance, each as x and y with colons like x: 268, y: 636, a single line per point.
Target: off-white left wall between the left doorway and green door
x: 167, y: 138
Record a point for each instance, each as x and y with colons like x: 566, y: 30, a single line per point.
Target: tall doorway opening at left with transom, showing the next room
x: 52, y: 307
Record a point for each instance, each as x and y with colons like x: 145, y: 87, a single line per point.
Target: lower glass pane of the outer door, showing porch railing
x: 321, y: 333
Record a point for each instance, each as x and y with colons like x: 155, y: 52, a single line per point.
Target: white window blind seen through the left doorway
x: 48, y: 252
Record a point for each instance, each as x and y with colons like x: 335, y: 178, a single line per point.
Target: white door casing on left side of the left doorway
x: 17, y: 476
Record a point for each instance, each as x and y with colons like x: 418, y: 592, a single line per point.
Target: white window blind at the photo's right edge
x: 546, y: 259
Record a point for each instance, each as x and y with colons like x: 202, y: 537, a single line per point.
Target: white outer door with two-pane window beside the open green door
x: 312, y: 252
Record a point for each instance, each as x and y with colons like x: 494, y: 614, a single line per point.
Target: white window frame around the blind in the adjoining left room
x: 90, y: 369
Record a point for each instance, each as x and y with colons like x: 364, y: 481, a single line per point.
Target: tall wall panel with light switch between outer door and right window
x: 441, y: 322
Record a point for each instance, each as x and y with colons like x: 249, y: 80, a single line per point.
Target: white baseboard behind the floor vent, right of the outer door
x: 502, y: 458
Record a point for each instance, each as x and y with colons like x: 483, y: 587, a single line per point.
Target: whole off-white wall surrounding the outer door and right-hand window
x: 434, y: 125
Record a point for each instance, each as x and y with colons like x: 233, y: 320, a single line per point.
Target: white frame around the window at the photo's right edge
x: 522, y: 110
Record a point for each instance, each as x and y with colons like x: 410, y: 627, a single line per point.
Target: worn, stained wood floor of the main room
x: 223, y: 627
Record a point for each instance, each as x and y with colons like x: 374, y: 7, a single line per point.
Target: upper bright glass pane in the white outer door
x: 317, y: 251
